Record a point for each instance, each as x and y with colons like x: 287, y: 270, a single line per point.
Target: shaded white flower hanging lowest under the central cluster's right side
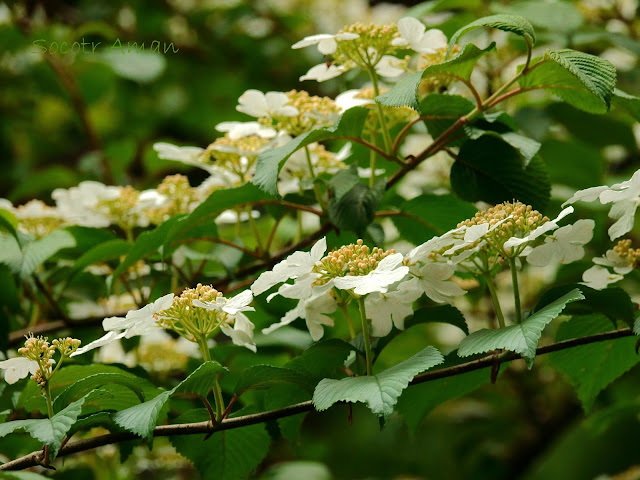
x: 391, y: 308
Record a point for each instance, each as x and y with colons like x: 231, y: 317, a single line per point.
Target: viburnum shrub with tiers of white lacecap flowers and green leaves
x: 196, y: 269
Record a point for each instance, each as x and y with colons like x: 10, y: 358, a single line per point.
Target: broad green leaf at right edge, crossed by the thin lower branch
x: 591, y: 368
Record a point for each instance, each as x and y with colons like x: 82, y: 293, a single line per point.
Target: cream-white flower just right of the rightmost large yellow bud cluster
x: 566, y: 245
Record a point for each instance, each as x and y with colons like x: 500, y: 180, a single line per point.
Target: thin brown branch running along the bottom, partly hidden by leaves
x: 36, y: 458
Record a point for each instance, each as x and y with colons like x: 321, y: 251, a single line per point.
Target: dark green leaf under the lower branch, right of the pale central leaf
x: 416, y: 403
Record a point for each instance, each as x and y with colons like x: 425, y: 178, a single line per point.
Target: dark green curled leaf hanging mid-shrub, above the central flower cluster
x: 356, y: 209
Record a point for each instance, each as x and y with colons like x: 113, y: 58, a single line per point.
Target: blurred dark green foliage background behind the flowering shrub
x: 65, y: 118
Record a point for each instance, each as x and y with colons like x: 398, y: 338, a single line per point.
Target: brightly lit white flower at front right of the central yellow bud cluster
x: 389, y: 271
